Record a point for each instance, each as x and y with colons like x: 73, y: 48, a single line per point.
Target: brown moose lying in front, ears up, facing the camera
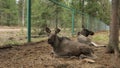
x: 64, y: 47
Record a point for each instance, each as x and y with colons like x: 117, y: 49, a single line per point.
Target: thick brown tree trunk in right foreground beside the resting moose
x: 114, y: 28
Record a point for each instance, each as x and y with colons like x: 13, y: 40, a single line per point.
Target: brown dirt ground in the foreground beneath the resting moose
x: 37, y: 55
